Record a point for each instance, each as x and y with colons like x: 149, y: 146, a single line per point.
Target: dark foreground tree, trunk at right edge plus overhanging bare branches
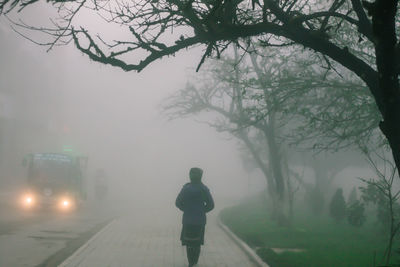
x: 360, y: 36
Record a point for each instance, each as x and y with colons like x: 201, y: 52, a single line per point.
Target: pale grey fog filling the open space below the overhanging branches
x: 61, y: 98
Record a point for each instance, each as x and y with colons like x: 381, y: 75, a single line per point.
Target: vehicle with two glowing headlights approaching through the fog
x: 54, y: 181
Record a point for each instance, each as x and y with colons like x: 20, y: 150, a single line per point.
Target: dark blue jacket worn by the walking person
x: 195, y: 201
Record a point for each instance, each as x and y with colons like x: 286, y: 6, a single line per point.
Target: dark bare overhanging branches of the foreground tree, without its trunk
x: 160, y: 28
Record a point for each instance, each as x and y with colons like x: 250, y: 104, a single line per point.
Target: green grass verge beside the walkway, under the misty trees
x: 324, y: 242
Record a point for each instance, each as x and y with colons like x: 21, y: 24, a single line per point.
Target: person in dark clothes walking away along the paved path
x: 195, y: 201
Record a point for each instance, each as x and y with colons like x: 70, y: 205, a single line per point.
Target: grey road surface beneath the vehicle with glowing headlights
x: 44, y: 239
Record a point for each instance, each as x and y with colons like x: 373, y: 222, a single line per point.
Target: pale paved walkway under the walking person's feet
x: 153, y: 240
